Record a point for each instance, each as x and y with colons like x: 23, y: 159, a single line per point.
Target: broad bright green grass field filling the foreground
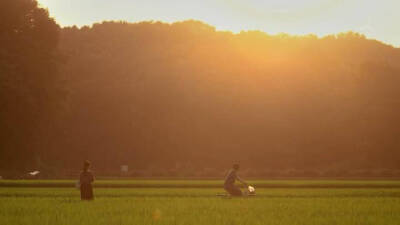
x: 178, y: 206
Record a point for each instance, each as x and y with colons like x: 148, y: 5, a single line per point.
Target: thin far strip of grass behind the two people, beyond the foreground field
x: 208, y: 183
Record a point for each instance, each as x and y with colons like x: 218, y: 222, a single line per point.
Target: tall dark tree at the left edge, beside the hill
x: 28, y: 79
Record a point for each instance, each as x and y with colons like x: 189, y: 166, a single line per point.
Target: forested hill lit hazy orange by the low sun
x: 184, y: 96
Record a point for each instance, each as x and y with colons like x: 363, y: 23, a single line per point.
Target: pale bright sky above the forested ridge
x: 377, y: 19
